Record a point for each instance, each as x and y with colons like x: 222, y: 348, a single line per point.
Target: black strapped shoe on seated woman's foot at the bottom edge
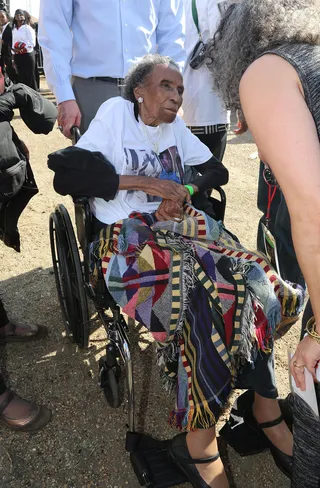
x: 179, y: 453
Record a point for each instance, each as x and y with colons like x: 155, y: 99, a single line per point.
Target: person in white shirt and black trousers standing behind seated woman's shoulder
x: 204, y: 111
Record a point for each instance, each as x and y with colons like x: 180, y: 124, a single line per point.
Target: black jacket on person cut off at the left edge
x: 17, y: 184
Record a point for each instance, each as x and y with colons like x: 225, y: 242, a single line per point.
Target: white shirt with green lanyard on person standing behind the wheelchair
x: 201, y: 105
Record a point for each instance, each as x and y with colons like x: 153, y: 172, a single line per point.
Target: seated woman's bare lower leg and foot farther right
x: 266, y: 410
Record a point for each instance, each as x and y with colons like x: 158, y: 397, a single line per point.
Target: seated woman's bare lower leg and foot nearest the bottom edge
x: 201, y: 444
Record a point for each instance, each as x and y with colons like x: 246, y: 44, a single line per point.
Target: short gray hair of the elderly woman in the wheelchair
x: 140, y: 72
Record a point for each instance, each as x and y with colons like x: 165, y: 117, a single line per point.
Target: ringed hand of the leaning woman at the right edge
x: 307, y: 355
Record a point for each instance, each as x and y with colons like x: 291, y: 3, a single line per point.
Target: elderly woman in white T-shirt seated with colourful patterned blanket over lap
x: 212, y: 306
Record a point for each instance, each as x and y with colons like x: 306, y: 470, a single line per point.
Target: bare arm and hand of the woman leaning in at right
x: 285, y: 133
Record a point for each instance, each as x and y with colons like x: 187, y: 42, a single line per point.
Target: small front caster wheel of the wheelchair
x: 110, y: 382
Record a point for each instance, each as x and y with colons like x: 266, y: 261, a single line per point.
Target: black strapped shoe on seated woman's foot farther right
x: 283, y: 461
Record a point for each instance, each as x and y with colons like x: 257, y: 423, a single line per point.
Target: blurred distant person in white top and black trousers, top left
x: 23, y: 46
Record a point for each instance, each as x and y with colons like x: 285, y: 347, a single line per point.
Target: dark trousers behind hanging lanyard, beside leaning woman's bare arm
x: 280, y: 227
